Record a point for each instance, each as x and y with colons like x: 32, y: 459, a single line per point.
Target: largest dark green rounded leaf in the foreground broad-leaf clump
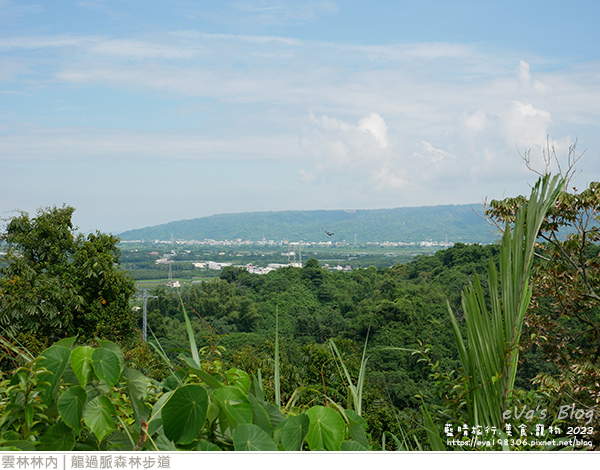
x: 184, y: 415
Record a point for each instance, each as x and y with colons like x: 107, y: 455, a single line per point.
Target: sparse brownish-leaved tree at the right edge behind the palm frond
x: 563, y: 322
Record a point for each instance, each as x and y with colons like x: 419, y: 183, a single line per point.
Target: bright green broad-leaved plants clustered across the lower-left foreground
x: 75, y: 397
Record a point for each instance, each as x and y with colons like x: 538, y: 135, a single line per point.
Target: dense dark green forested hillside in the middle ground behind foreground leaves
x: 404, y: 306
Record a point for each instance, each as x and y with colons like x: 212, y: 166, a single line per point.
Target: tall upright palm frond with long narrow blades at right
x: 490, y: 354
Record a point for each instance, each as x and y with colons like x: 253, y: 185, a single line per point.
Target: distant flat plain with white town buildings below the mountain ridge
x: 196, y: 260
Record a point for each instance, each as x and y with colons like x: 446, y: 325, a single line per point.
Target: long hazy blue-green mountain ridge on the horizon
x: 454, y: 223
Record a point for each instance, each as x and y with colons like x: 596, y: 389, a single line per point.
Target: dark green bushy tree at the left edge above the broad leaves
x: 56, y: 283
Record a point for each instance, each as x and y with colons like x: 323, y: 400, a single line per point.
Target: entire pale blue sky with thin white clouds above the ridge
x: 143, y: 112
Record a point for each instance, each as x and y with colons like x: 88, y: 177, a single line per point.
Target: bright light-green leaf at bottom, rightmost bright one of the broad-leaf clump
x: 326, y: 429
